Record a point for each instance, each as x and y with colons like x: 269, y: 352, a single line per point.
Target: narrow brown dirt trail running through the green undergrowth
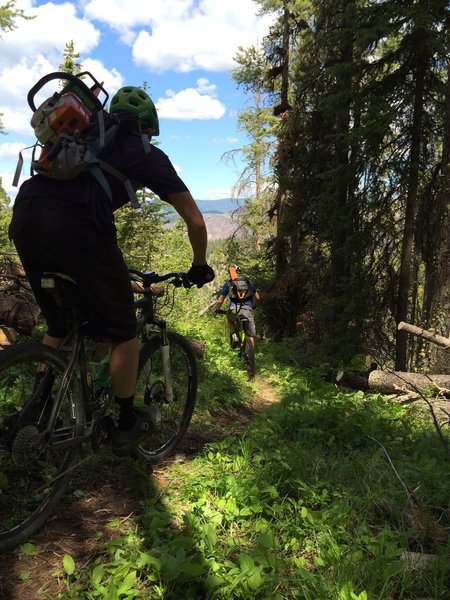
x: 82, y: 522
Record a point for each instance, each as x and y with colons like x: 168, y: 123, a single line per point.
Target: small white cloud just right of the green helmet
x: 191, y: 104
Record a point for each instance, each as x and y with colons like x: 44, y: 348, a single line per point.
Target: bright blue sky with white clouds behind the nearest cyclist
x: 183, y: 50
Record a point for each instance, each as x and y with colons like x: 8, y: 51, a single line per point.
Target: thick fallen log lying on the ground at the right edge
x: 393, y: 382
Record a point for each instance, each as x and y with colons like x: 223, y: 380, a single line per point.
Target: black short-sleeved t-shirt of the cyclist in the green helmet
x: 128, y: 155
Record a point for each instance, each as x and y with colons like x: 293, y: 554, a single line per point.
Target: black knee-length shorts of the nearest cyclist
x: 56, y: 235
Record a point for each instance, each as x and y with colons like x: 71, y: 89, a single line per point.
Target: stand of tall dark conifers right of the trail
x: 359, y: 92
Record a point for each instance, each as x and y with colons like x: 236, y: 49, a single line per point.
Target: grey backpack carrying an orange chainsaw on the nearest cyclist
x: 72, y: 127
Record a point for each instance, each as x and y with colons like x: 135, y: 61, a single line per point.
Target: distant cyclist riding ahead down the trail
x: 243, y: 296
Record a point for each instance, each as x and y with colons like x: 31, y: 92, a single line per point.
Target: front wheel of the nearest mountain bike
x: 150, y: 390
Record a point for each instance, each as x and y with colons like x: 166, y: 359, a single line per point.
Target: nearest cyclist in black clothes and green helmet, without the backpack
x: 68, y: 226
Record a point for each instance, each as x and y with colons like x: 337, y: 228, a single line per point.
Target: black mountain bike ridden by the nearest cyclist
x: 46, y: 419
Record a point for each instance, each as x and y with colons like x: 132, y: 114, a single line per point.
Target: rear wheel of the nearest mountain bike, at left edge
x: 34, y: 465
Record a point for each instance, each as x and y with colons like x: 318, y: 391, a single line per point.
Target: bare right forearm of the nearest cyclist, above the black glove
x: 185, y: 205
